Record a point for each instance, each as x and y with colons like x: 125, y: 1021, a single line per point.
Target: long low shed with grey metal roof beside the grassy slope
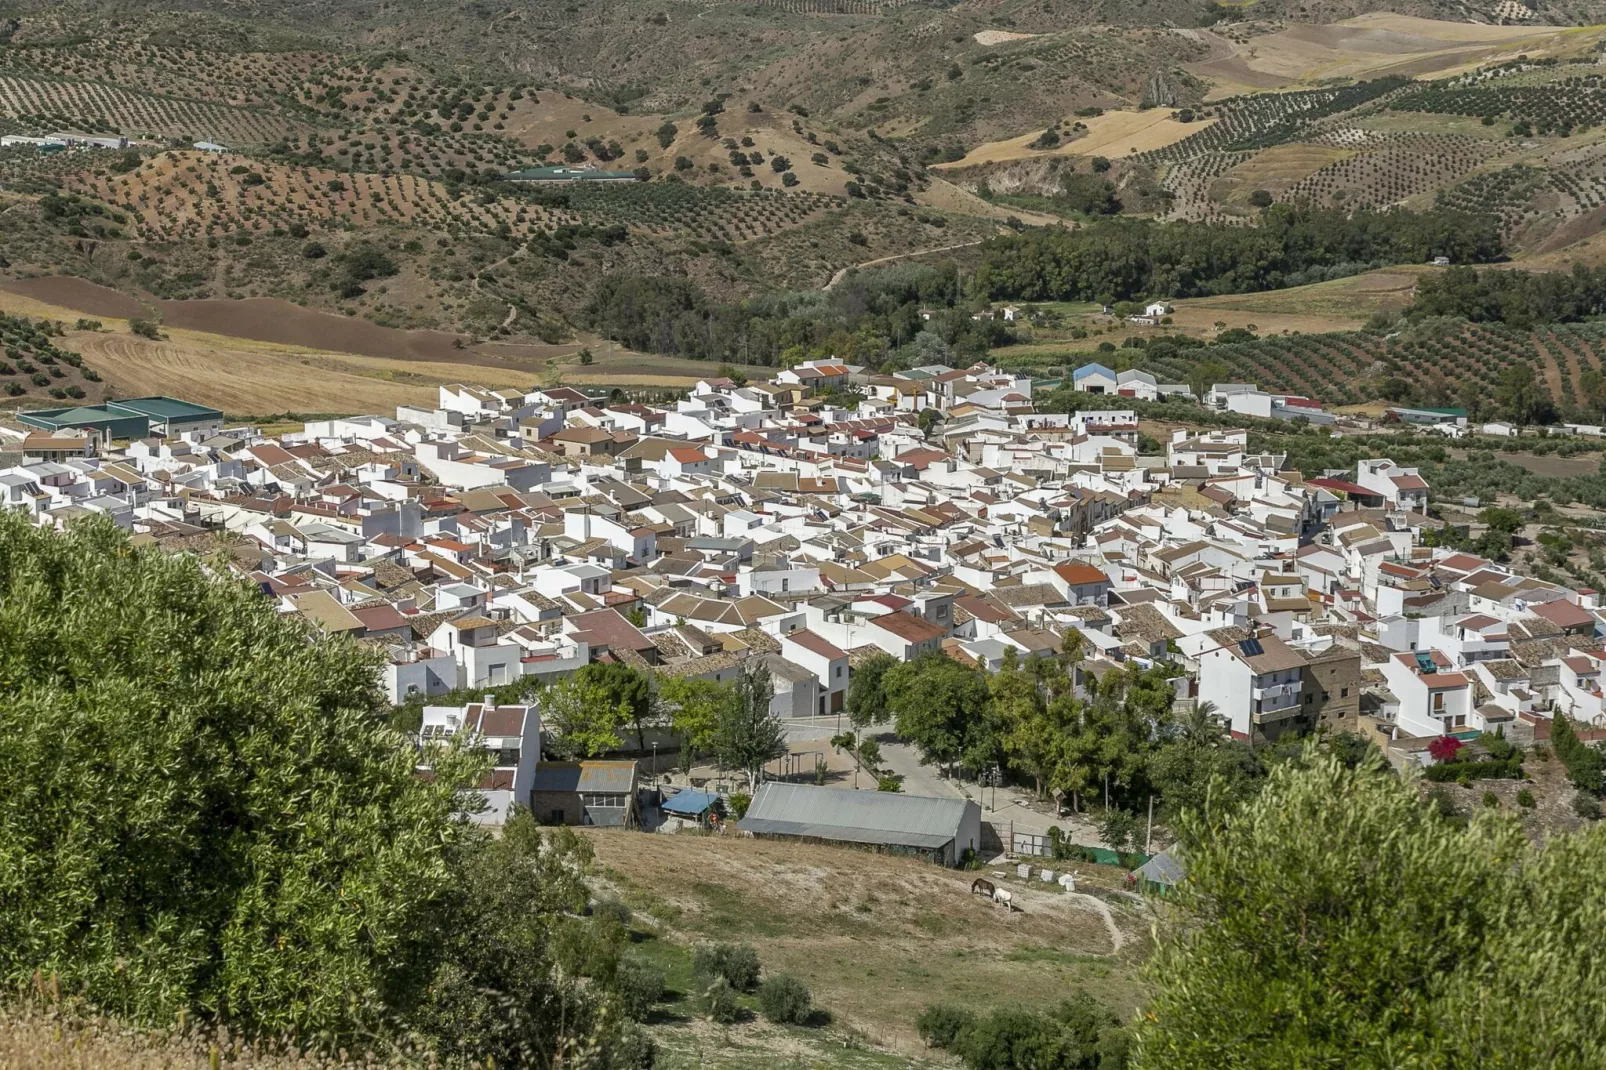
x: 939, y: 830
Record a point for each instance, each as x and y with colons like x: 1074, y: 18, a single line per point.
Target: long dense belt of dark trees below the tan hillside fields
x: 1125, y: 259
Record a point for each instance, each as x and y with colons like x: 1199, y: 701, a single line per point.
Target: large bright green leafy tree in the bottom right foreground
x: 1395, y: 944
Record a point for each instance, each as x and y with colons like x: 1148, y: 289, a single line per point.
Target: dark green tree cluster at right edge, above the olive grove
x: 1515, y: 298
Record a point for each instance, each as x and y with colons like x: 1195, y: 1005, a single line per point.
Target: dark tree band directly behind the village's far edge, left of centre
x: 871, y: 317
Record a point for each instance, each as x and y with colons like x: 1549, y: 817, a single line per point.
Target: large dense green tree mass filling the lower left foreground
x: 206, y: 812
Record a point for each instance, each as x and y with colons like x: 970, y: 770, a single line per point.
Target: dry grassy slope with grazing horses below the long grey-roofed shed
x: 878, y: 937
